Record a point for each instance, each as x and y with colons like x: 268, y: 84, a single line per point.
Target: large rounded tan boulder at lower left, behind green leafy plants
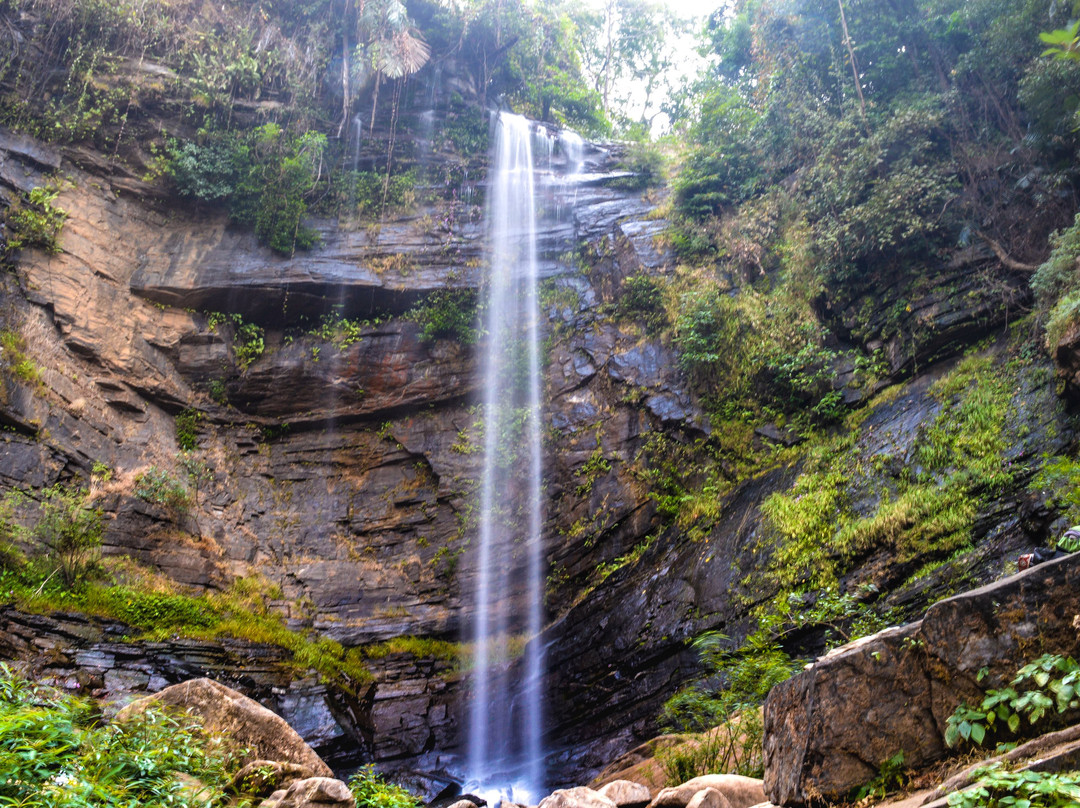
x: 245, y: 722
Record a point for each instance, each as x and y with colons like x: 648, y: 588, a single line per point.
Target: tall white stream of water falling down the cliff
x: 506, y: 722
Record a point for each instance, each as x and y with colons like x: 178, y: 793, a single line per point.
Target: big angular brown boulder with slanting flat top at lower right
x: 829, y: 730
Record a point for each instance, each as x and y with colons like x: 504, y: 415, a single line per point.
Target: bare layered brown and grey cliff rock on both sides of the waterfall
x: 343, y: 472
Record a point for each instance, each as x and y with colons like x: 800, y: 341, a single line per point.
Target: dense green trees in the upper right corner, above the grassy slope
x: 955, y: 130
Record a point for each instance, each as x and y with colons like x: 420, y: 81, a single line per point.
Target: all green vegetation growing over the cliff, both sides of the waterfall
x: 857, y: 179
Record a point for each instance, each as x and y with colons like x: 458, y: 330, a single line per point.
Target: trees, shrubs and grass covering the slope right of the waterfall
x: 834, y: 163
